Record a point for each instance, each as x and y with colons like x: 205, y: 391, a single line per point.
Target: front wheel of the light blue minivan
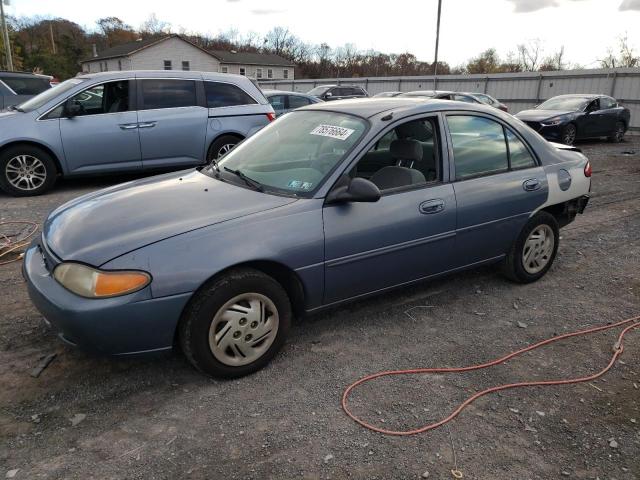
x: 37, y: 163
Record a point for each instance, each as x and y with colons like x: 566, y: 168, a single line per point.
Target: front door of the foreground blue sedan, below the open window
x: 406, y: 235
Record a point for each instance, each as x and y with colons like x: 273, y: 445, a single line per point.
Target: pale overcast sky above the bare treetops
x: 585, y: 27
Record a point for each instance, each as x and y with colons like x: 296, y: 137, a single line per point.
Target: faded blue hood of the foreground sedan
x: 103, y: 225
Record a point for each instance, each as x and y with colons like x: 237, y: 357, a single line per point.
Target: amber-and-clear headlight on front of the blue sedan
x: 92, y: 283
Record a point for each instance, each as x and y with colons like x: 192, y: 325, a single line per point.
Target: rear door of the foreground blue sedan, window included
x: 498, y: 183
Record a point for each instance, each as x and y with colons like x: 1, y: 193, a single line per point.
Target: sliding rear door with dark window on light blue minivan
x: 172, y: 122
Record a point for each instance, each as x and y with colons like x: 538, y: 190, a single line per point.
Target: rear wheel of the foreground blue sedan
x: 534, y: 251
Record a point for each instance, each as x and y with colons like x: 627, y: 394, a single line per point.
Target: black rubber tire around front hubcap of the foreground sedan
x: 202, y: 310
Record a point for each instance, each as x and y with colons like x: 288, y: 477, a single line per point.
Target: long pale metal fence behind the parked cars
x: 518, y: 91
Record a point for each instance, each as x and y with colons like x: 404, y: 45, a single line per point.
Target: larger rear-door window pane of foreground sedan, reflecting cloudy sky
x: 479, y: 146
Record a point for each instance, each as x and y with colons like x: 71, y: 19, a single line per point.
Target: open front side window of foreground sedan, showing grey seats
x: 405, y: 156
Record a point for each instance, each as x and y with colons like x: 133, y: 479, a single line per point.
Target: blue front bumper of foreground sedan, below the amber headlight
x: 126, y: 325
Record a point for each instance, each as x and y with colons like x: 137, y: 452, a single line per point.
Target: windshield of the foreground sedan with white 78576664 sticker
x: 295, y: 154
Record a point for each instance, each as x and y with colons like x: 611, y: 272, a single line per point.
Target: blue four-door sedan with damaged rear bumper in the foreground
x: 328, y: 204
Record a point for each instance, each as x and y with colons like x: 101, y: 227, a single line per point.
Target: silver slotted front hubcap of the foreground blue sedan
x: 243, y: 329
